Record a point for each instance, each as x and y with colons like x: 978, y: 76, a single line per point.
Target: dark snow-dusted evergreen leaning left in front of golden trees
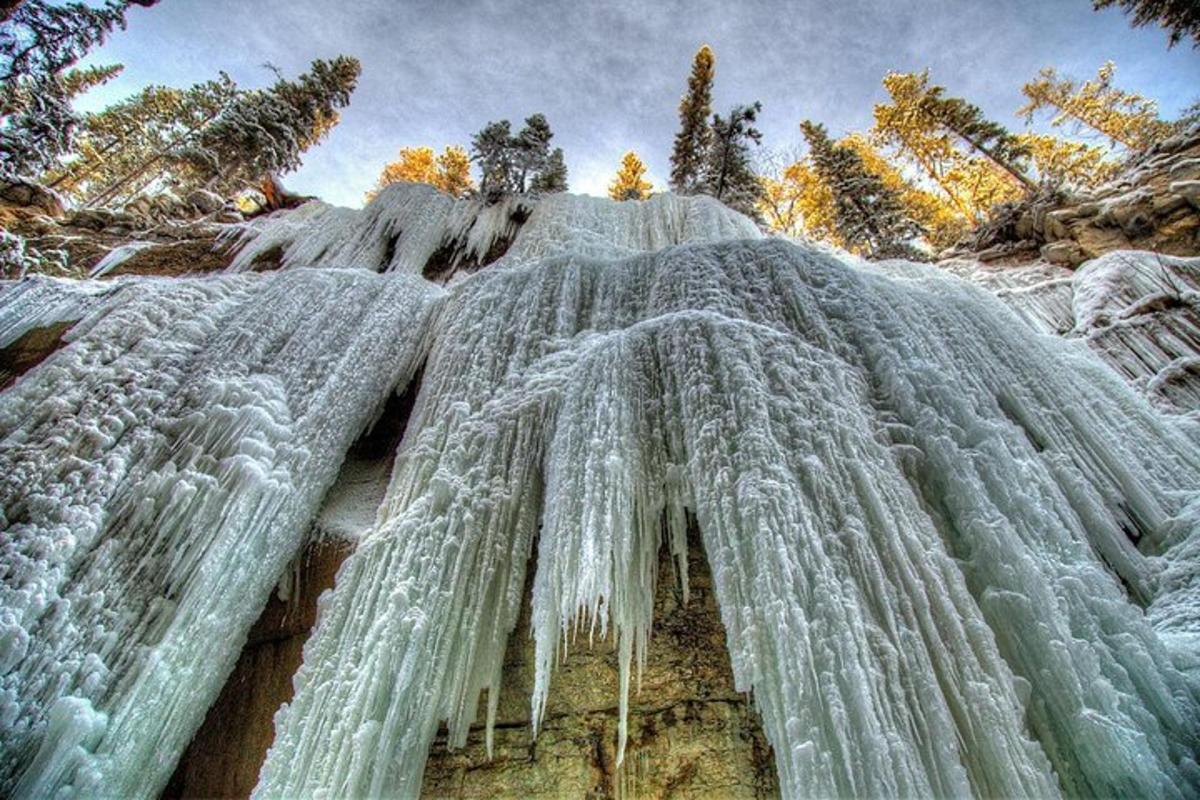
x: 871, y: 218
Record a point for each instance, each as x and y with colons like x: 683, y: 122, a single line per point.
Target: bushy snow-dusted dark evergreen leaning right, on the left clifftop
x: 265, y: 131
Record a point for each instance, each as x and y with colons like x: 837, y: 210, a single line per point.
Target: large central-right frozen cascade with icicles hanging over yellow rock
x: 931, y: 564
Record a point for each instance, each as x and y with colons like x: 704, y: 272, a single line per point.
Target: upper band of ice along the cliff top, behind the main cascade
x: 409, y: 226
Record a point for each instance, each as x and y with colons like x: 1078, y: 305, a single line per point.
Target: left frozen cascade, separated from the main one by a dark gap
x: 157, y: 477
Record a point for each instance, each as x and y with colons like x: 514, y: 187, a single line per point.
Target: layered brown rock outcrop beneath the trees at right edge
x: 1154, y: 206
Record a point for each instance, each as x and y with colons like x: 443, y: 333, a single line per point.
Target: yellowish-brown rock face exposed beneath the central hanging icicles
x: 691, y: 732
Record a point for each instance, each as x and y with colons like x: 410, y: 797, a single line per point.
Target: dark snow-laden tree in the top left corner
x: 39, y: 43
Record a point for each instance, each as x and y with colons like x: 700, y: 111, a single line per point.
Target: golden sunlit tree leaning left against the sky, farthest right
x: 1125, y: 118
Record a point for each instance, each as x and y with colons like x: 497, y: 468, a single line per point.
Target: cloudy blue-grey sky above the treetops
x: 609, y: 75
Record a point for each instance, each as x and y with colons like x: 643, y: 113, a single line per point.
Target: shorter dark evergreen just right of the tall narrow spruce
x: 728, y: 175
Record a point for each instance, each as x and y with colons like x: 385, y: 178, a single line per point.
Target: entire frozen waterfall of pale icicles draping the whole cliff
x: 953, y: 557
